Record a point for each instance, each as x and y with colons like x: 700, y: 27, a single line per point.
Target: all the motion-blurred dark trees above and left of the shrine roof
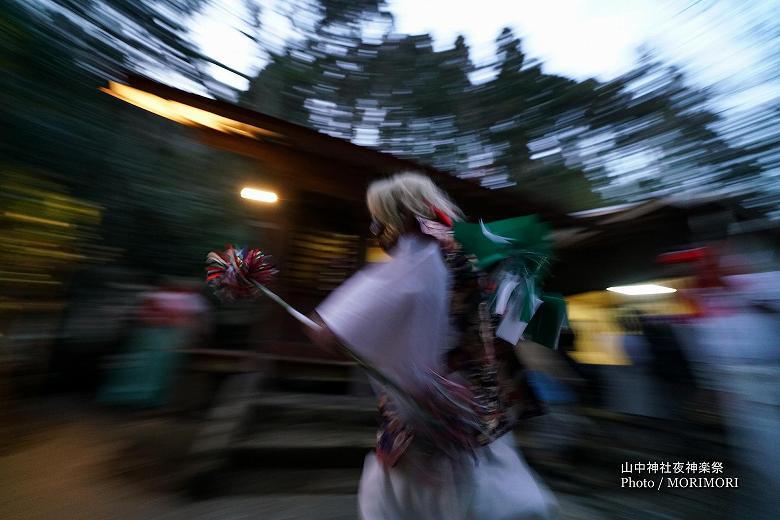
x: 509, y: 124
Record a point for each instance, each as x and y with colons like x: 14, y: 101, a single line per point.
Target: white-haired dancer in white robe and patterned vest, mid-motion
x: 400, y: 316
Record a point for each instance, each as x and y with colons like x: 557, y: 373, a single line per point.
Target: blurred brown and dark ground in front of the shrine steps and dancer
x: 72, y: 462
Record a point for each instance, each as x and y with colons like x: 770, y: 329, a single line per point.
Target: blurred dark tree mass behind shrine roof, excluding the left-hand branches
x: 575, y: 144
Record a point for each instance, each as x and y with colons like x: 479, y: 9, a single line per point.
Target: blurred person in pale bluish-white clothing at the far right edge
x: 735, y: 343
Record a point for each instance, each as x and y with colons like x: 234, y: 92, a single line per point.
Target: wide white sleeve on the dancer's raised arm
x: 395, y: 314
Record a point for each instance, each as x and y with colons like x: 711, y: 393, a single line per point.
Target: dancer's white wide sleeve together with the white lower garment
x: 396, y: 315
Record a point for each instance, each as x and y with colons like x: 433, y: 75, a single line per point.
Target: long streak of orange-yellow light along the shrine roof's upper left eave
x: 182, y: 113
